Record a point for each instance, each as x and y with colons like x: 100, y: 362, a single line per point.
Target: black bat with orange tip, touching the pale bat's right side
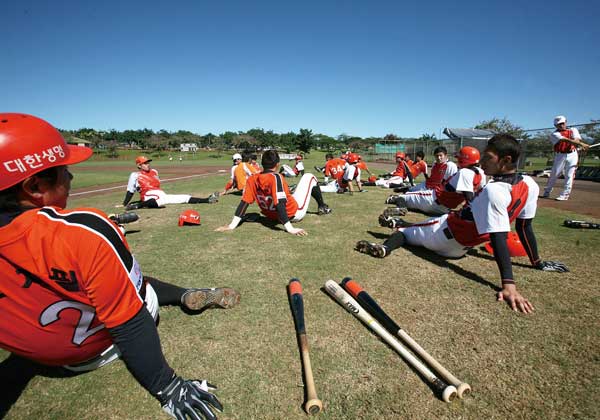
x: 379, y: 314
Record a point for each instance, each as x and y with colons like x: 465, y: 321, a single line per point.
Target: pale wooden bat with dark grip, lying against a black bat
x: 447, y: 392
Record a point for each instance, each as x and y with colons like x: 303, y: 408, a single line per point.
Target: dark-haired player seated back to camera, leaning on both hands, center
x: 272, y: 194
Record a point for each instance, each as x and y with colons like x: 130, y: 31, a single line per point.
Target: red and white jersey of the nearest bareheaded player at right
x: 496, y: 206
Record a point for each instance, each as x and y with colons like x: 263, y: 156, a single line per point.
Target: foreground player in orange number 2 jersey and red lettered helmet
x: 80, y: 307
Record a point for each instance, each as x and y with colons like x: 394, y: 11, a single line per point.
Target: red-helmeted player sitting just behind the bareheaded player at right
x: 450, y: 194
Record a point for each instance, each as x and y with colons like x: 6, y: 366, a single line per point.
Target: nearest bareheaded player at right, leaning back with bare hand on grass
x: 508, y: 197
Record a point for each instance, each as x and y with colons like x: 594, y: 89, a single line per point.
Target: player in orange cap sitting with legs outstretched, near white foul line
x: 147, y: 183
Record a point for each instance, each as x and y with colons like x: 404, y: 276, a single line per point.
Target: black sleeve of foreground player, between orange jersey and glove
x: 138, y: 341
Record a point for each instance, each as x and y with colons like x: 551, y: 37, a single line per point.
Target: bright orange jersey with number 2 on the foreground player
x: 67, y: 276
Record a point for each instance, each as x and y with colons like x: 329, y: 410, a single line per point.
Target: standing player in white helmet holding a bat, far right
x: 564, y: 141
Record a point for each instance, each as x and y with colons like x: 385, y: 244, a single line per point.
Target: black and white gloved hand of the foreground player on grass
x: 183, y: 399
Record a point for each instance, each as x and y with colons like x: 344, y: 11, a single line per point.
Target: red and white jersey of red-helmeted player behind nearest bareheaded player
x: 470, y: 179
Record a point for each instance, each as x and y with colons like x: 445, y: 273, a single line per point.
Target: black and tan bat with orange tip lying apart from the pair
x: 313, y: 404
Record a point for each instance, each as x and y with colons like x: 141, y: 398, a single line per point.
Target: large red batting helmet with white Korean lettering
x: 29, y: 145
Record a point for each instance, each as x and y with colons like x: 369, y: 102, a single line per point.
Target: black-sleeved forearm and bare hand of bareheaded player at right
x: 509, y: 292
